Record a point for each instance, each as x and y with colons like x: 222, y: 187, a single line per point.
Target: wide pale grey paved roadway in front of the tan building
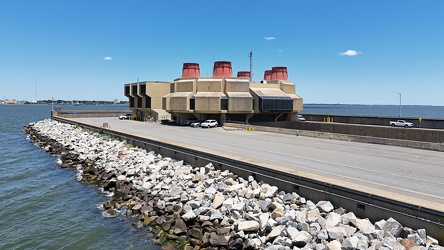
x: 410, y: 175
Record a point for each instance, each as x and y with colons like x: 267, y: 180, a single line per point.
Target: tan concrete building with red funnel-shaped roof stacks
x: 221, y: 97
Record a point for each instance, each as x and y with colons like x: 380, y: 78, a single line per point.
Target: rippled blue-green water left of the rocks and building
x: 45, y: 207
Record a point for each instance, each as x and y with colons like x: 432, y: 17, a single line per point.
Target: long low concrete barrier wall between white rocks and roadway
x: 364, y: 205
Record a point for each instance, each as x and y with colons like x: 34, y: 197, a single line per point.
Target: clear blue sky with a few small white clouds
x: 342, y: 51
